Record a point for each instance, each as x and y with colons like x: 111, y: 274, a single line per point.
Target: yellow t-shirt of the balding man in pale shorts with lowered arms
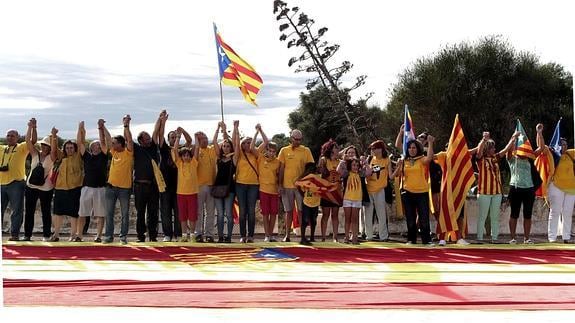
x: 294, y: 160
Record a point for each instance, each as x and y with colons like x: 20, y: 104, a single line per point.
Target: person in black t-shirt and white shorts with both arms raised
x: 93, y: 195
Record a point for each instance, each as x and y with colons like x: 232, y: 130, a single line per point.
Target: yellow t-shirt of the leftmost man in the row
x: 15, y: 158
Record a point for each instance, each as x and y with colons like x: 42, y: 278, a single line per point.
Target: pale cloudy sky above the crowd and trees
x: 67, y: 61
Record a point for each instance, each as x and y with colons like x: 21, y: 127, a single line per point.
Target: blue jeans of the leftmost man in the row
x: 13, y: 194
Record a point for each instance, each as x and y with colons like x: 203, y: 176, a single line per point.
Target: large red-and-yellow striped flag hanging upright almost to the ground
x: 457, y: 179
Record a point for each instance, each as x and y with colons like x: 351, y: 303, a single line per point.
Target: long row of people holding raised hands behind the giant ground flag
x: 192, y: 187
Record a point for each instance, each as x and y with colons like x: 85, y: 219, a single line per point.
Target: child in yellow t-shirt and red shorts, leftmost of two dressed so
x: 187, y: 191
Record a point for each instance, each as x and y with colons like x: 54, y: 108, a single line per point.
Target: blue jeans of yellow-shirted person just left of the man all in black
x: 112, y: 195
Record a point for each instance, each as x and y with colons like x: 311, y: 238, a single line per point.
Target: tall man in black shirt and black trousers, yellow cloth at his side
x: 146, y: 193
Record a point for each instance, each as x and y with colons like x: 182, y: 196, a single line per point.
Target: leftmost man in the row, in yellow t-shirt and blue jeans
x: 12, y: 176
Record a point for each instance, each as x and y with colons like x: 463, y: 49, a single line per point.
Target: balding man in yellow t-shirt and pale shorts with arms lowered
x: 292, y: 163
